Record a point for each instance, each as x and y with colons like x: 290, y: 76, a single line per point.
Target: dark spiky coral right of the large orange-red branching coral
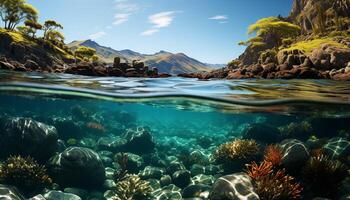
x: 324, y: 175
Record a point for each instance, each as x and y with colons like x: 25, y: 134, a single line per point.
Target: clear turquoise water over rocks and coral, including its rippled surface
x: 171, y: 132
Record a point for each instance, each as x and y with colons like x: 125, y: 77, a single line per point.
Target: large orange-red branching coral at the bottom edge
x: 272, y: 185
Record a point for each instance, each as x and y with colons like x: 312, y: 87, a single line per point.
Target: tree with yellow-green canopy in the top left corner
x: 13, y: 12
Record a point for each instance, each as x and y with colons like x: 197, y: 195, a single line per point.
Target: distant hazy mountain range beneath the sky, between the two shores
x: 166, y: 62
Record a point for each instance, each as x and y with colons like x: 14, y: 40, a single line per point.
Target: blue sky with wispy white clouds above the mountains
x: 207, y: 30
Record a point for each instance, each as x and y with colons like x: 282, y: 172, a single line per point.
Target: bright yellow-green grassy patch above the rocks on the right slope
x: 309, y: 45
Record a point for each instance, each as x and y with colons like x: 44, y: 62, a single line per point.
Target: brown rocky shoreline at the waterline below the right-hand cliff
x: 324, y: 63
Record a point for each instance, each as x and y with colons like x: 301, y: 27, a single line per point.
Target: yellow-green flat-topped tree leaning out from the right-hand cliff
x: 272, y: 28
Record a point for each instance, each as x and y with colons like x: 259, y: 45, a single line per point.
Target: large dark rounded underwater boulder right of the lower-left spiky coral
x: 77, y: 167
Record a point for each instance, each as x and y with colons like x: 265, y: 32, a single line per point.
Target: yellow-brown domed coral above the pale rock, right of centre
x: 236, y: 150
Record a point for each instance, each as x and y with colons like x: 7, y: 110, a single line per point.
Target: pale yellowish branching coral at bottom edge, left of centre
x: 132, y: 188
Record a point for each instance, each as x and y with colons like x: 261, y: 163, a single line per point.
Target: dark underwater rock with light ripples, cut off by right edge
x: 337, y: 148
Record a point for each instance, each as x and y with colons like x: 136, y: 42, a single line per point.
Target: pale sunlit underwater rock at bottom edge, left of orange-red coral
x: 234, y: 187
